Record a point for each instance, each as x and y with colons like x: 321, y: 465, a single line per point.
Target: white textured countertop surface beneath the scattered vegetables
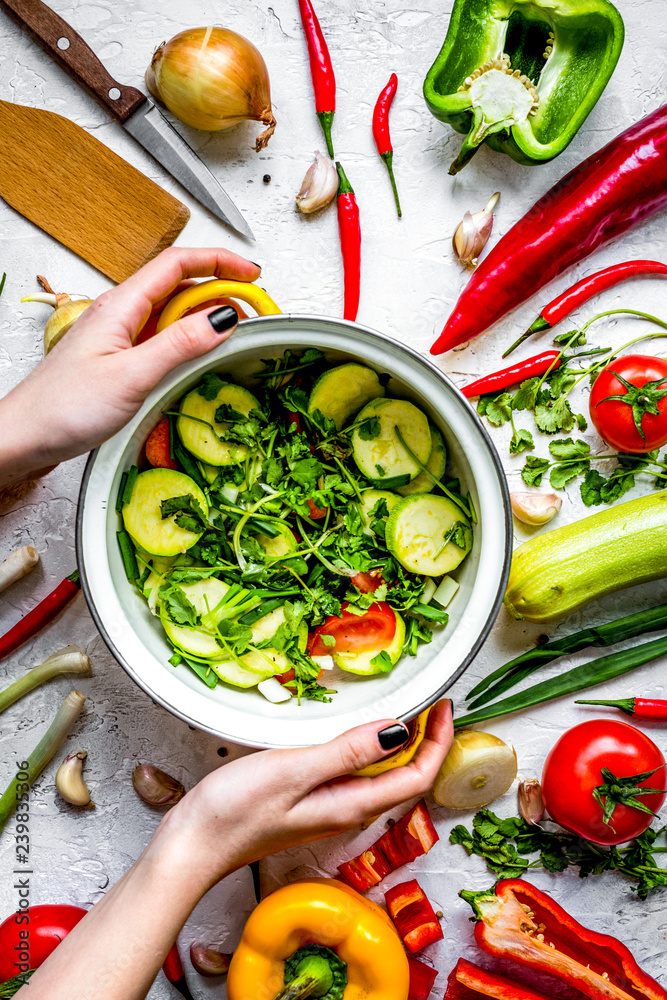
x: 410, y: 282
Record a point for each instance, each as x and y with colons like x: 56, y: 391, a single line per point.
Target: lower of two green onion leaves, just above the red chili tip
x: 578, y: 679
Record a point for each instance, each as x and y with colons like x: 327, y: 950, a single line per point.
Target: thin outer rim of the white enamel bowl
x: 256, y: 321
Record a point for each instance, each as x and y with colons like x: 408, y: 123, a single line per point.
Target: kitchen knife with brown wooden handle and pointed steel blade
x: 135, y: 112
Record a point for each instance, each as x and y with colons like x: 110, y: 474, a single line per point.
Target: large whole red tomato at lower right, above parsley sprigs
x: 573, y: 770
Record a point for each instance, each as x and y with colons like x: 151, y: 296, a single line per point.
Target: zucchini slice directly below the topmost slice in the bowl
x: 384, y: 455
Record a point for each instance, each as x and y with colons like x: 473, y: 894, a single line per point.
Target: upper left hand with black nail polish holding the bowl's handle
x: 94, y: 379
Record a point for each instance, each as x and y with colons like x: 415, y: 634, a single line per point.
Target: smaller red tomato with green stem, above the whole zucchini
x: 614, y: 419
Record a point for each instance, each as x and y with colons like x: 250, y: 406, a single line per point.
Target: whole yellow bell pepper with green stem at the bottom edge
x: 361, y: 955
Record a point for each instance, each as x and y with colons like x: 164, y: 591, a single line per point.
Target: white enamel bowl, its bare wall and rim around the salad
x: 135, y: 637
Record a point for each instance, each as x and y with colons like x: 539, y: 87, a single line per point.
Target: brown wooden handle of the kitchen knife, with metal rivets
x: 70, y: 49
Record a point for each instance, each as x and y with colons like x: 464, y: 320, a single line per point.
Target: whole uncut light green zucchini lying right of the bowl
x: 555, y: 573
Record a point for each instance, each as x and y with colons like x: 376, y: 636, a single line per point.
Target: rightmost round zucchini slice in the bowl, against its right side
x: 417, y: 530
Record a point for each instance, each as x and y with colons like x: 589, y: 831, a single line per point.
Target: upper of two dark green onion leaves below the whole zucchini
x: 608, y: 634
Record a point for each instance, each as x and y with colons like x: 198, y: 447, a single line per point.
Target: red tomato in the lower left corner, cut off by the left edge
x: 28, y: 938
